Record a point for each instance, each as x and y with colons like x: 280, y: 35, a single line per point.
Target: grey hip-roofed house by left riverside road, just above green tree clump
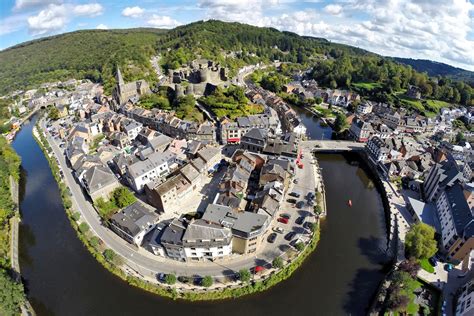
x: 99, y: 182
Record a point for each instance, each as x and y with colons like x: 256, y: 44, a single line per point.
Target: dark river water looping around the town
x: 339, y: 278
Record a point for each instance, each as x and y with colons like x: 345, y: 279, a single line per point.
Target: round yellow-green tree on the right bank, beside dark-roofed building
x: 420, y: 242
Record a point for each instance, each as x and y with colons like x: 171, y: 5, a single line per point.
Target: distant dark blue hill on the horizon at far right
x: 434, y: 68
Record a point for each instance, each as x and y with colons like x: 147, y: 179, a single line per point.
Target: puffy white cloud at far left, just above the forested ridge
x: 53, y: 18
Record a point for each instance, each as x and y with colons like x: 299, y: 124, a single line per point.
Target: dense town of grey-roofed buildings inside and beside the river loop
x: 231, y: 190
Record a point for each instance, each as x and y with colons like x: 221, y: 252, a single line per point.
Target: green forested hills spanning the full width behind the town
x: 94, y: 54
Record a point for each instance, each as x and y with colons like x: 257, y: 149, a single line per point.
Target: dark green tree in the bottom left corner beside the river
x: 11, y: 295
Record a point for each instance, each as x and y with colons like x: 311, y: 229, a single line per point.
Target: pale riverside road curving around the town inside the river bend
x: 147, y: 264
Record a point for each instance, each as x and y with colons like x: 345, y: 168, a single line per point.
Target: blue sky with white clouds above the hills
x: 439, y: 30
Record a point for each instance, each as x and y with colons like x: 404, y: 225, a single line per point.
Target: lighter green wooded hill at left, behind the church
x: 89, y: 54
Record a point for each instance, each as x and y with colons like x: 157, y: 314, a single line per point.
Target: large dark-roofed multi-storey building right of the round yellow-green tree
x: 457, y: 223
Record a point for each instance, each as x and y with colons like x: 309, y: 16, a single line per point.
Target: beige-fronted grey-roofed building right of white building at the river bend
x: 247, y: 228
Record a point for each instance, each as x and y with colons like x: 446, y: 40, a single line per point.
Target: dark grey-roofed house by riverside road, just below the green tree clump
x: 134, y: 222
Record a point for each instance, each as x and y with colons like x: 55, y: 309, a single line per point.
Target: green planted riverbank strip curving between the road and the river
x: 232, y: 289
